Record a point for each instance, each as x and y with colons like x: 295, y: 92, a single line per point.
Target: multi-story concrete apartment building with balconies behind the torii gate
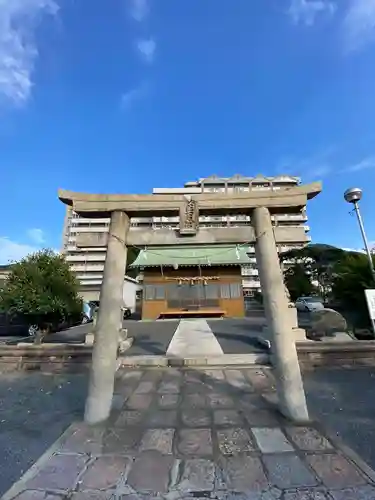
x: 88, y: 263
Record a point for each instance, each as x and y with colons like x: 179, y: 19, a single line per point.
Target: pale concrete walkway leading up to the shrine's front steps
x: 193, y: 337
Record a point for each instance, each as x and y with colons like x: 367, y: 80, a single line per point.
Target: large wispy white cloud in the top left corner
x: 18, y: 49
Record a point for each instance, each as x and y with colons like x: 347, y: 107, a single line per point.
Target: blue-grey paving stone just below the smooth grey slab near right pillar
x: 288, y: 471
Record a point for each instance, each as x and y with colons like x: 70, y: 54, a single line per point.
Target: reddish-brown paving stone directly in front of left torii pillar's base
x: 84, y: 439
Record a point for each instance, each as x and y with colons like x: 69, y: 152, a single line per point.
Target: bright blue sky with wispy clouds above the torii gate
x: 127, y: 95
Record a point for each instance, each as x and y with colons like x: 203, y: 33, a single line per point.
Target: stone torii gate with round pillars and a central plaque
x: 259, y: 204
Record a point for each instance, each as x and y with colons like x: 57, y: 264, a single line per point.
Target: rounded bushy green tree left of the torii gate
x: 43, y: 289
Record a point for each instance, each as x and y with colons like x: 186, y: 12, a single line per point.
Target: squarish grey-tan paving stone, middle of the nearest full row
x: 197, y: 475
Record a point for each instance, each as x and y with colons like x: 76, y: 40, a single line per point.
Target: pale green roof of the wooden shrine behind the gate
x: 204, y: 255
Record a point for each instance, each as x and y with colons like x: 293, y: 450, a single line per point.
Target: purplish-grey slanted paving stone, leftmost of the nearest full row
x: 59, y: 473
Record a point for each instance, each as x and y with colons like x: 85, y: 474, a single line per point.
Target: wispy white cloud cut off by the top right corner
x: 359, y: 24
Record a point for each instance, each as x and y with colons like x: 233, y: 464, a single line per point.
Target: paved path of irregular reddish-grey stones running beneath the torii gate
x: 196, y: 434
